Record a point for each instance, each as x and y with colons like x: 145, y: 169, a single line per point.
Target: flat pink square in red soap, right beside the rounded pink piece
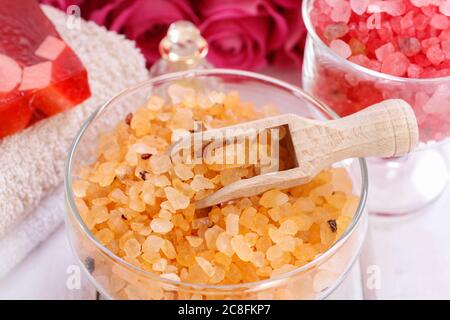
x: 36, y: 76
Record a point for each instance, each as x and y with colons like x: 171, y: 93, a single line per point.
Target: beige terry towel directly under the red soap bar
x: 32, y: 161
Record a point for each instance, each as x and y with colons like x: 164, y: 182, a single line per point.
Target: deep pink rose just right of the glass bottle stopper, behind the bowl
x: 241, y: 33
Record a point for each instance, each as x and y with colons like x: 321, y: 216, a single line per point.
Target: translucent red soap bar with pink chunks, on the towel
x: 40, y: 75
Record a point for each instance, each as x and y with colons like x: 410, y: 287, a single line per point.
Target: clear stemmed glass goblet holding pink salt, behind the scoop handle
x: 398, y: 185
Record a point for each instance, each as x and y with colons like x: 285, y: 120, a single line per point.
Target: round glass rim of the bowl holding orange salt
x: 70, y: 199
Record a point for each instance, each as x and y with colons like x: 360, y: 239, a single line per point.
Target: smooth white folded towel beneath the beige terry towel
x: 36, y: 227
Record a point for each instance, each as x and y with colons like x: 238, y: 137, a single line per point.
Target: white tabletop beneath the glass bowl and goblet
x: 412, y: 254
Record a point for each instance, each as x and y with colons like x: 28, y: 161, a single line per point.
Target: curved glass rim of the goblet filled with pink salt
x: 312, y: 32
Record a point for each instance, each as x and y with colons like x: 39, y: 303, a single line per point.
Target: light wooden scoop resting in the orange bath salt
x: 386, y: 129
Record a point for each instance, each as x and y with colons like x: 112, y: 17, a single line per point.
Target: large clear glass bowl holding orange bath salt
x: 117, y: 279
